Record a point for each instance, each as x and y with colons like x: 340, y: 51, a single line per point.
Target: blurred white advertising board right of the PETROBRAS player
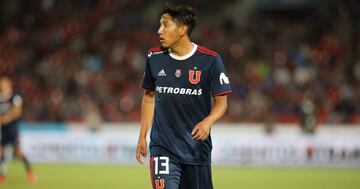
x: 287, y: 147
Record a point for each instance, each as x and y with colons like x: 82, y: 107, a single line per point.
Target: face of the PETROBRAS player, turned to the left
x: 170, y: 32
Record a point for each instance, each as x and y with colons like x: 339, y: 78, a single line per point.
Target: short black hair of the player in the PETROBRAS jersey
x: 181, y: 14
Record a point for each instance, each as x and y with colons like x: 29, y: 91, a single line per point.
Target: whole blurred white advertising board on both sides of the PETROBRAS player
x: 235, y: 144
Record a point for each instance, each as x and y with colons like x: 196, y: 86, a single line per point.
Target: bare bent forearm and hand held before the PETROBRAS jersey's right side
x: 202, y: 130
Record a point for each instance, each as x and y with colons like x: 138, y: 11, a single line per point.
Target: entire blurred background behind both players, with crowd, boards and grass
x: 293, y: 117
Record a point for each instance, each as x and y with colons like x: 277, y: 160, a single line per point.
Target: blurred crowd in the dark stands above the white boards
x: 71, y: 58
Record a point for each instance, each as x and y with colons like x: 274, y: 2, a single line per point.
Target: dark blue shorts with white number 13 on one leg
x: 169, y: 174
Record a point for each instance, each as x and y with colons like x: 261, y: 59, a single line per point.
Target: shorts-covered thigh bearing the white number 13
x: 165, y: 172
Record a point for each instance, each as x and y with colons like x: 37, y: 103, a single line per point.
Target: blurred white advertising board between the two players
x: 77, y: 144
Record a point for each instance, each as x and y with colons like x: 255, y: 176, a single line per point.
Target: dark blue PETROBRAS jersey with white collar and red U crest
x: 183, y: 89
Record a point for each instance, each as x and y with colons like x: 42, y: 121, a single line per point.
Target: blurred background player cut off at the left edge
x: 10, y: 113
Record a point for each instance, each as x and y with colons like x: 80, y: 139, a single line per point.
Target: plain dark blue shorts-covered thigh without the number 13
x: 196, y: 177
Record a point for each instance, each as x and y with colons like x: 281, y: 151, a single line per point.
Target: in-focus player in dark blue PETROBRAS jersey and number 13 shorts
x: 180, y: 80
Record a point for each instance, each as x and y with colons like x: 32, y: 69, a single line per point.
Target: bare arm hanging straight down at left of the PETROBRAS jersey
x: 147, y: 114
